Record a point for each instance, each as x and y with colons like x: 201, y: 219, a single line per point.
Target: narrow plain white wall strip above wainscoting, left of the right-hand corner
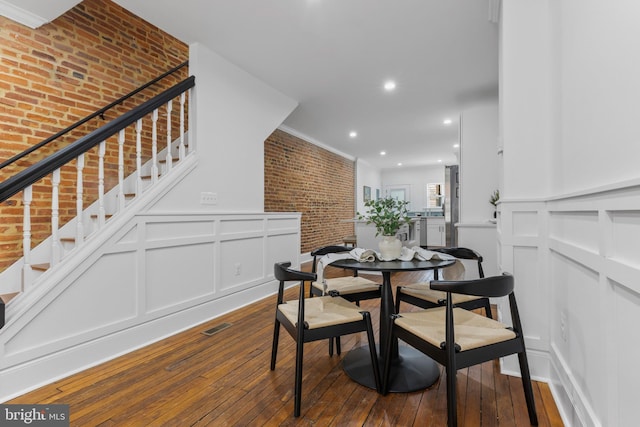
x: 525, y: 98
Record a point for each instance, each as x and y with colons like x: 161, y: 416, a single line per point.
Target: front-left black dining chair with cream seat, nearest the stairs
x: 312, y: 319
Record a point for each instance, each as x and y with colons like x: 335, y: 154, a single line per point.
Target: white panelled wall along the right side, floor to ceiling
x: 570, y: 217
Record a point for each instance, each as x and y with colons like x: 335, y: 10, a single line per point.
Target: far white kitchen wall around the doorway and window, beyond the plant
x: 416, y: 178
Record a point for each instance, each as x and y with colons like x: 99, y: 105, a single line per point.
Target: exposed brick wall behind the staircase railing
x: 53, y: 76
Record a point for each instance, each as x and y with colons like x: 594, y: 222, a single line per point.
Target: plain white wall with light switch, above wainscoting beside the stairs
x: 235, y: 113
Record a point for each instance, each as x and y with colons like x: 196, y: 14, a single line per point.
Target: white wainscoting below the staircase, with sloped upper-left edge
x: 150, y: 276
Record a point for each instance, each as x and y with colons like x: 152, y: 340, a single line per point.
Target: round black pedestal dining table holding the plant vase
x: 411, y: 370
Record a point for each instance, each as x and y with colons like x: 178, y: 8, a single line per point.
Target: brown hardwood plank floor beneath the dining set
x: 192, y: 379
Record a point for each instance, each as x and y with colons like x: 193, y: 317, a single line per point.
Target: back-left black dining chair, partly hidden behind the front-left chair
x: 352, y: 288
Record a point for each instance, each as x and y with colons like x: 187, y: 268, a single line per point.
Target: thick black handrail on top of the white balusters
x: 23, y: 179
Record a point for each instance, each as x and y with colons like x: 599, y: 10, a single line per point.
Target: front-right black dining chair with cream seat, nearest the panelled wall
x: 457, y: 338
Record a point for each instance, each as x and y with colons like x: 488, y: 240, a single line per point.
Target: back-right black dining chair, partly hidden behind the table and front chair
x: 421, y: 295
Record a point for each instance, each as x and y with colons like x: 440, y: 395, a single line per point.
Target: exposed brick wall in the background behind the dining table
x: 302, y: 177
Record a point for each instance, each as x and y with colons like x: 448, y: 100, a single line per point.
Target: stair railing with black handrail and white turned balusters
x: 24, y: 181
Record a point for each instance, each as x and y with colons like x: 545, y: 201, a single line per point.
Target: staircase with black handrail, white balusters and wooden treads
x: 66, y: 241
